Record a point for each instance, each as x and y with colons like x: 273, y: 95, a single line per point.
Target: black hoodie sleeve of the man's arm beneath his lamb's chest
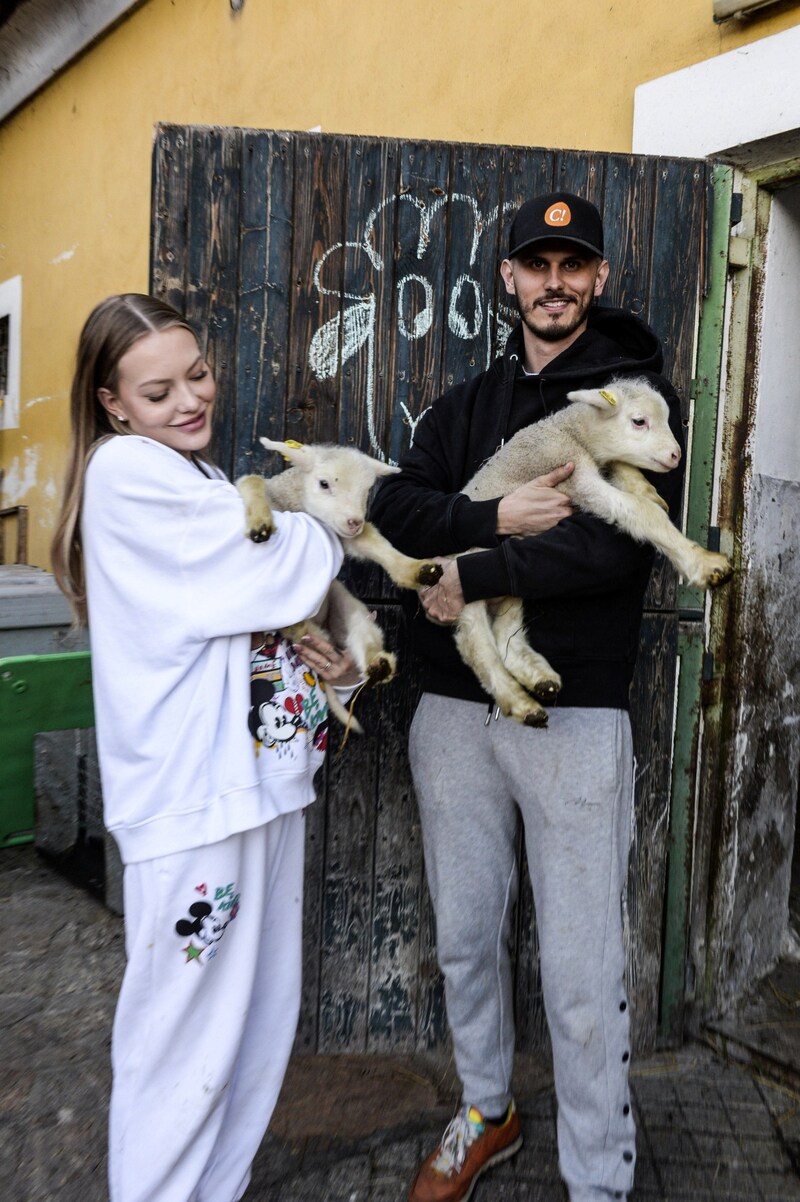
x: 582, y: 556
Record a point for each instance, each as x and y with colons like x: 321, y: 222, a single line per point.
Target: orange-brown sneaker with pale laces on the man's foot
x: 469, y: 1147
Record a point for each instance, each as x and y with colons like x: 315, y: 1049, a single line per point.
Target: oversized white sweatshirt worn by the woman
x: 175, y: 592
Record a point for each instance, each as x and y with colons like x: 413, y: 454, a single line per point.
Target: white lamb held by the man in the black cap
x: 610, y: 435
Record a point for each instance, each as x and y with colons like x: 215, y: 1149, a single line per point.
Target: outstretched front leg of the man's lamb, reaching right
x: 648, y: 523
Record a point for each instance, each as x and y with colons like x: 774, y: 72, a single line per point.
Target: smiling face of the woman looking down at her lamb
x: 165, y: 391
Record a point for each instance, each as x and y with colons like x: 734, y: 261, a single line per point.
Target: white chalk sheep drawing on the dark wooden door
x: 353, y: 331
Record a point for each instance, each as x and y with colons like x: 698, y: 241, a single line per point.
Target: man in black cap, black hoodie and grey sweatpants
x: 475, y: 773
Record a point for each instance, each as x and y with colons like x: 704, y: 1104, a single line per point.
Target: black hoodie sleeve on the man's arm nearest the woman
x: 422, y: 510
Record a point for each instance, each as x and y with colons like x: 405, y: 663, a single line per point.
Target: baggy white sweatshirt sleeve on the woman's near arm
x: 170, y: 542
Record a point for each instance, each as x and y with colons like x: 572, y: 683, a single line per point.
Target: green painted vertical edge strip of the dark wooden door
x: 694, y: 662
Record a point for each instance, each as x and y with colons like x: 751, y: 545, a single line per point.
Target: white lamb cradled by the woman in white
x: 333, y: 485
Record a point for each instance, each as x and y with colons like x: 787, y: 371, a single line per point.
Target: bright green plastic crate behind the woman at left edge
x: 38, y: 693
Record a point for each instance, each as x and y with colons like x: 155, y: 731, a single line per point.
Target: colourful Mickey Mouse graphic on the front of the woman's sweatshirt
x: 288, y: 704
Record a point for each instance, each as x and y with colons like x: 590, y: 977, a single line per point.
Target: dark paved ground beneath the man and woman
x: 348, y: 1129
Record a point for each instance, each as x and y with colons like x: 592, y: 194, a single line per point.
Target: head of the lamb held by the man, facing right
x: 630, y: 424
